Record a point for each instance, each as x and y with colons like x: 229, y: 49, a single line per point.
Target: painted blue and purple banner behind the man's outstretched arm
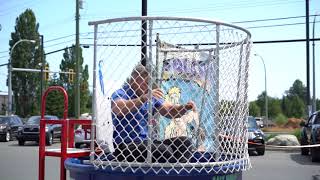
x: 185, y: 80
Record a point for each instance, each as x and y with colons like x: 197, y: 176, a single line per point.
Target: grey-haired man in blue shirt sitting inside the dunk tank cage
x: 130, y: 118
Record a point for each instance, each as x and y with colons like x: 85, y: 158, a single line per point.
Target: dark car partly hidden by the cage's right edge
x: 256, y: 138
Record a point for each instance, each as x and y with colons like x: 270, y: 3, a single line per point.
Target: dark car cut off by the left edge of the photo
x: 9, y: 127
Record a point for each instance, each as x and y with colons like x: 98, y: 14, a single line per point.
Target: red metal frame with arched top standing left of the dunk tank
x: 67, y: 135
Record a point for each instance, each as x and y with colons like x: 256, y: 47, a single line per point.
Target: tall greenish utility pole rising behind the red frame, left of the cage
x: 77, y: 82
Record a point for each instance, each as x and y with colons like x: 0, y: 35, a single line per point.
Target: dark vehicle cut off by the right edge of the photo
x: 310, y: 134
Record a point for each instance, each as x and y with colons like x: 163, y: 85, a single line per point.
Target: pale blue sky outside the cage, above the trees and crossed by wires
x: 285, y: 62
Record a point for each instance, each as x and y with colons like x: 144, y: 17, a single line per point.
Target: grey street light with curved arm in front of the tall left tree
x: 10, y: 74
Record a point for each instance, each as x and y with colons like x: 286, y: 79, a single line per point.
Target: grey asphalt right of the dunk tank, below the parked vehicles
x: 282, y: 165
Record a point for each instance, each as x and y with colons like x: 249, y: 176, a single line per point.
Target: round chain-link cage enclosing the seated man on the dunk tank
x: 170, y: 95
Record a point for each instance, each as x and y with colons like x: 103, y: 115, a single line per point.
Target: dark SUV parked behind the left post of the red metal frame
x: 31, y: 130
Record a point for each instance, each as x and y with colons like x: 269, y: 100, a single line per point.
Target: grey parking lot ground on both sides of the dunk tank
x: 21, y: 163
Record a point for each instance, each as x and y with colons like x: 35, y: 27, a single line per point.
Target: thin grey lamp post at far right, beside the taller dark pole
x: 314, y: 106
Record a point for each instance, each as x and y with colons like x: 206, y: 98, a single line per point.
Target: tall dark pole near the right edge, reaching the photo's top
x: 308, y: 57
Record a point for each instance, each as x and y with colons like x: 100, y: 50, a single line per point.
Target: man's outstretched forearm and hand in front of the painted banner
x: 176, y: 111
